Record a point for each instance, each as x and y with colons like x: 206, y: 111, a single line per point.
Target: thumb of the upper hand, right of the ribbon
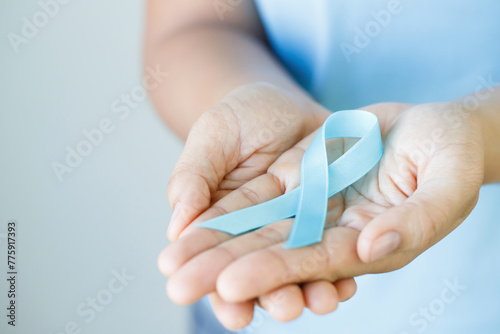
x: 428, y: 215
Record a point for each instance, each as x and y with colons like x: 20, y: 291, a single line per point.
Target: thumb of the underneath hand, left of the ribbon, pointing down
x: 199, y: 171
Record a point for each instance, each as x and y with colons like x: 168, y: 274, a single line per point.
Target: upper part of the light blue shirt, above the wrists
x: 354, y: 53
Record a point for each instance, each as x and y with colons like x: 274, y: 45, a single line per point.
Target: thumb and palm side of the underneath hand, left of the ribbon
x: 234, y: 142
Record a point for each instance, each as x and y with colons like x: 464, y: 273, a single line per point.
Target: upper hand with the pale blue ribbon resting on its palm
x: 425, y: 185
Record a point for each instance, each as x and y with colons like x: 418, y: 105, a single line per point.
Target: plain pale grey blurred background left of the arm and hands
x: 85, y: 163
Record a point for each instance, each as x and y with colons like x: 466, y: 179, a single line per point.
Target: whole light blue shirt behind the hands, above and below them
x: 354, y: 53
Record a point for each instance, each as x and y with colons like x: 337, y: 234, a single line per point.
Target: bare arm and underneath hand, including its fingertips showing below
x: 187, y: 38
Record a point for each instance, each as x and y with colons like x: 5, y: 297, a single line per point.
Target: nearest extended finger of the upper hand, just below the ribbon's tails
x: 262, y: 271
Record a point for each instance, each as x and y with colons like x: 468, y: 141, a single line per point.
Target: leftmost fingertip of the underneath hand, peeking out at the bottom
x: 233, y: 316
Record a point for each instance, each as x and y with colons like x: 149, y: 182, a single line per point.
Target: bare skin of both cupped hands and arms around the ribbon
x: 418, y: 195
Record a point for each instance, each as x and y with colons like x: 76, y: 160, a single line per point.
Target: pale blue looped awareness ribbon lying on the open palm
x: 318, y: 181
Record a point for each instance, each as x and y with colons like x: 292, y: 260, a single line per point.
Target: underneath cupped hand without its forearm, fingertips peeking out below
x: 232, y: 143
